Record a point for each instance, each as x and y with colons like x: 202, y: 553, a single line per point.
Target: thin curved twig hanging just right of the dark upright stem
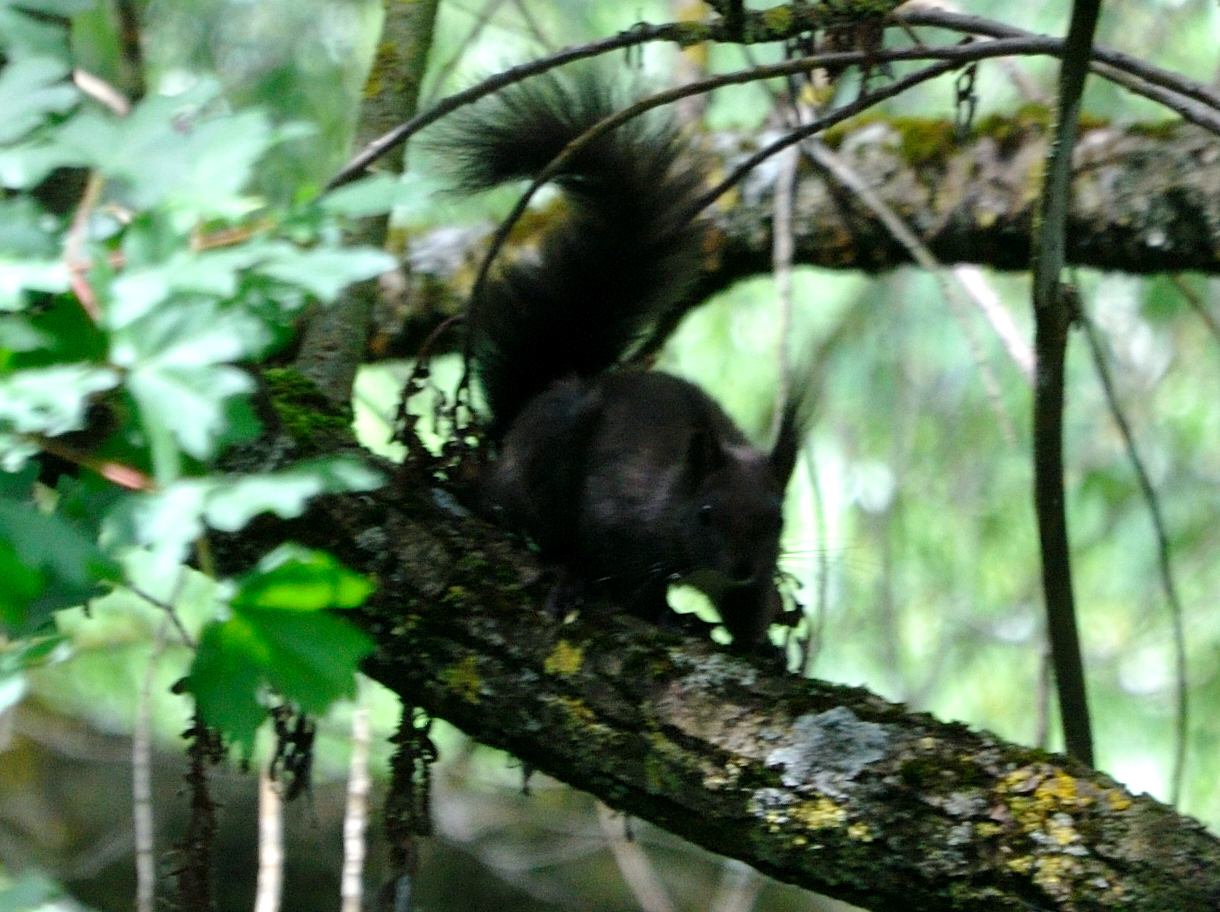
x: 1163, y: 560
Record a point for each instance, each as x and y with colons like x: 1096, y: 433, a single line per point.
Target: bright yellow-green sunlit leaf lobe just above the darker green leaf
x: 295, y: 579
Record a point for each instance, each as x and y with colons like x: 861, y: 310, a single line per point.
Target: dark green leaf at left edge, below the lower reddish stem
x: 46, y: 564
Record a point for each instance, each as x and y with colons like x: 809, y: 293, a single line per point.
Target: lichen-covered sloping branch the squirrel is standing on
x: 825, y: 787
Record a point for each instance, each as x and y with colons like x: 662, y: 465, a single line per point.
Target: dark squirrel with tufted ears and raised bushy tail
x: 628, y: 480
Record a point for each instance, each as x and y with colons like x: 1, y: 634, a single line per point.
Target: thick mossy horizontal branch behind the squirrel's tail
x: 1145, y: 201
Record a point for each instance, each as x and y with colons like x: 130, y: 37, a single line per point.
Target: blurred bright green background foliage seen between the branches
x: 911, y: 525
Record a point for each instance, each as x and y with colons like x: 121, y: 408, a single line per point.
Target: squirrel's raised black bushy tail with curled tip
x: 623, y: 257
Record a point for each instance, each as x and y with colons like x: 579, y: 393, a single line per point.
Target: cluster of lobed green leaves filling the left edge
x: 127, y: 333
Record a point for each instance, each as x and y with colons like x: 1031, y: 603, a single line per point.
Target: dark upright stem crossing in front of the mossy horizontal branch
x: 1052, y: 314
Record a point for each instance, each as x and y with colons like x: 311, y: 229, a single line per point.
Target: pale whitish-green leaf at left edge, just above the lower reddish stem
x: 51, y: 401
